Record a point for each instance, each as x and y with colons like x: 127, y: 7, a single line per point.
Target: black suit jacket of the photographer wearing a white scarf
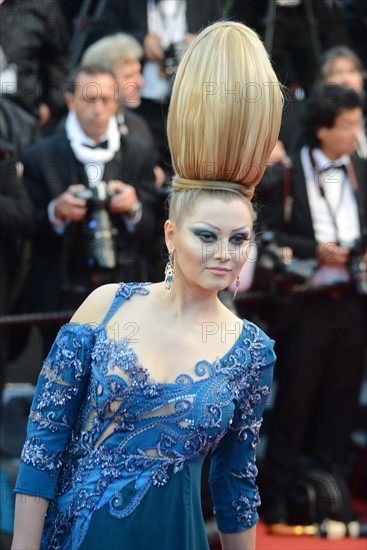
x: 50, y: 167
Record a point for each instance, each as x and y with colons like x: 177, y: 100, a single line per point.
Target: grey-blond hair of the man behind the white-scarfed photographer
x: 113, y: 49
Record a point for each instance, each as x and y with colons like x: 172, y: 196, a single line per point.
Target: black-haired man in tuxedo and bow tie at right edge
x: 321, y: 352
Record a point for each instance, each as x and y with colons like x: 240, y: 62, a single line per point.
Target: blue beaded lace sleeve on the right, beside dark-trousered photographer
x: 233, y: 470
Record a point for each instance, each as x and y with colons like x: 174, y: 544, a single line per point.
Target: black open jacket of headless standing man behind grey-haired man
x: 130, y: 16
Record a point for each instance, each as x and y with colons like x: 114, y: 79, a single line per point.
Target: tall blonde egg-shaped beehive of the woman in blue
x: 225, y: 111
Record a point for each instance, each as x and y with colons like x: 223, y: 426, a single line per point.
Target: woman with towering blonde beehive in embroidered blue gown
x: 147, y: 379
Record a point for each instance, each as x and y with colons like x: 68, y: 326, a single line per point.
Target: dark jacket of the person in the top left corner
x: 34, y: 37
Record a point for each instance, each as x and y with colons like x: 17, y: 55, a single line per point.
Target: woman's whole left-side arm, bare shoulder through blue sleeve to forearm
x: 56, y: 405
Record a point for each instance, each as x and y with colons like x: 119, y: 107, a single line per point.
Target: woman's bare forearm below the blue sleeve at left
x: 30, y: 514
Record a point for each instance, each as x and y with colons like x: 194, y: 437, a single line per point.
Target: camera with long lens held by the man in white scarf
x: 99, y: 233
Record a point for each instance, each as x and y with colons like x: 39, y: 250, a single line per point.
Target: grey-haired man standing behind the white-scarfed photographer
x: 121, y: 53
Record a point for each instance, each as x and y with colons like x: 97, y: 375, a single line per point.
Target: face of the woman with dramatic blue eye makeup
x: 210, y: 245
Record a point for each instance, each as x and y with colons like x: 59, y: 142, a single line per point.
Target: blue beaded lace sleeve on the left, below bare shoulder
x: 59, y: 394
